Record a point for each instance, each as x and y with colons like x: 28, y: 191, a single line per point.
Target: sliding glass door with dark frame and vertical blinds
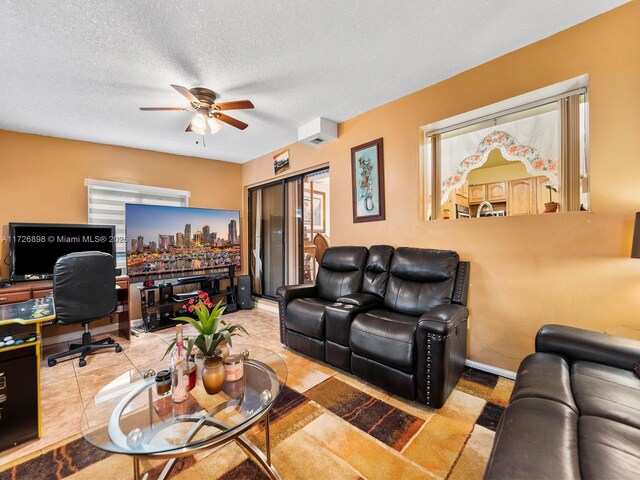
x: 279, y: 235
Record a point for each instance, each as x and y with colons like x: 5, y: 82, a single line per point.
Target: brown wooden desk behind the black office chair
x: 22, y: 291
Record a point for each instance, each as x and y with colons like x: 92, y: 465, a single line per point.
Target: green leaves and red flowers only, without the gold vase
x: 212, y: 329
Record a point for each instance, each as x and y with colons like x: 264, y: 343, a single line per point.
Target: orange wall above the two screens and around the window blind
x: 42, y: 180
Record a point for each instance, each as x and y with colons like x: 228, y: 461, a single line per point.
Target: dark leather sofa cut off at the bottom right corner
x: 574, y: 412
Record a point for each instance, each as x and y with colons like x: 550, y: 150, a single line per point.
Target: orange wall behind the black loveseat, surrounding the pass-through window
x: 570, y: 268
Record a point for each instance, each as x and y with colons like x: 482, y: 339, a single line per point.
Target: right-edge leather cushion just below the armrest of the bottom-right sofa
x: 606, y: 392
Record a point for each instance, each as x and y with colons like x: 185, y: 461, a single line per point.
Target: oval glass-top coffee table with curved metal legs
x: 127, y: 417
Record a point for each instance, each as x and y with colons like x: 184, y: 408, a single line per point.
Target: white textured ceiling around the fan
x: 80, y: 69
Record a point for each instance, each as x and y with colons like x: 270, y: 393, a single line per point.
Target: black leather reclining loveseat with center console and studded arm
x: 394, y: 317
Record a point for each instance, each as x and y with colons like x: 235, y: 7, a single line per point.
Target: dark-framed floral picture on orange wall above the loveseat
x: 367, y: 174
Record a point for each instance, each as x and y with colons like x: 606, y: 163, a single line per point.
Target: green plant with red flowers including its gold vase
x: 213, y: 332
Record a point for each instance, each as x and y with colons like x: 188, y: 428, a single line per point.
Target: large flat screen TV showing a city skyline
x: 166, y: 242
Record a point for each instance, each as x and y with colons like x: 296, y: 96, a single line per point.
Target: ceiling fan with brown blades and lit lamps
x: 209, y: 113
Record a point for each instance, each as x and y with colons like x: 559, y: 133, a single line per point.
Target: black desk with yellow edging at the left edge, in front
x: 20, y: 416
